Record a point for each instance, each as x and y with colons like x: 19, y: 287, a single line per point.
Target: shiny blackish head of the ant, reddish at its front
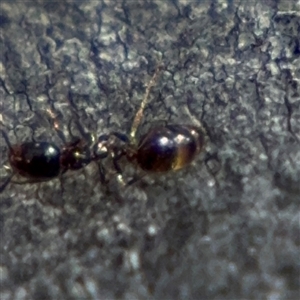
x: 40, y: 161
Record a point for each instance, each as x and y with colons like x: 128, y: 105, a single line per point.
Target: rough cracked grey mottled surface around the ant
x: 224, y: 229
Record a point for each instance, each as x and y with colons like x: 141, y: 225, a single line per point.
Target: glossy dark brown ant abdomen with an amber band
x: 168, y: 148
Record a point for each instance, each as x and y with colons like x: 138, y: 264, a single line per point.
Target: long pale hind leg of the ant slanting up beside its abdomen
x: 138, y: 116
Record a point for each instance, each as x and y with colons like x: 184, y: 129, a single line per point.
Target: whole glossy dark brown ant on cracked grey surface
x: 162, y: 149
